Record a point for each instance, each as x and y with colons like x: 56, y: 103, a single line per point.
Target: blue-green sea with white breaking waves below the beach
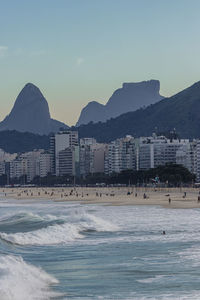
x: 66, y: 250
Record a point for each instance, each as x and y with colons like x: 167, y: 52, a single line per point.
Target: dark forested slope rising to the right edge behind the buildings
x: 181, y: 111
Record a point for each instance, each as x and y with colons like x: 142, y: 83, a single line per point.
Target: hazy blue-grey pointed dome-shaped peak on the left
x: 30, y: 113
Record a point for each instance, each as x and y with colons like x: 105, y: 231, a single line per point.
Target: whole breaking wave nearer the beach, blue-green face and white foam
x: 55, y: 230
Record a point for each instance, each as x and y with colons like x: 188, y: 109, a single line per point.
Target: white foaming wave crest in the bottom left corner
x: 21, y: 281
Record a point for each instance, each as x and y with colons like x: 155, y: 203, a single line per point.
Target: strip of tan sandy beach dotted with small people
x: 165, y: 197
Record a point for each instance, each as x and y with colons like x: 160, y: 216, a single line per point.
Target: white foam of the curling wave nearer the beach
x: 60, y: 233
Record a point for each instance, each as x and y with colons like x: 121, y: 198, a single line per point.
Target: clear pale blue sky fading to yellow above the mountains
x: 78, y: 51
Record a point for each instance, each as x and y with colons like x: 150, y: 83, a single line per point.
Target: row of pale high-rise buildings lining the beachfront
x: 70, y: 156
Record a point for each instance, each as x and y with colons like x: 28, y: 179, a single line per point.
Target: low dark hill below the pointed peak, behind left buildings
x: 14, y: 142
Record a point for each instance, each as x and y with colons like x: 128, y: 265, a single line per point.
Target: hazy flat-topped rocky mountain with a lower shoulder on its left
x: 130, y: 97
